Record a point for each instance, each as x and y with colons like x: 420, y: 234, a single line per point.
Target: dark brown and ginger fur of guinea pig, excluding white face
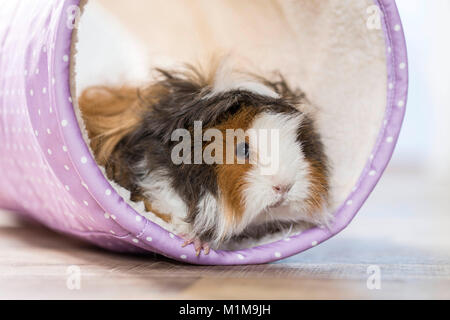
x: 130, y: 131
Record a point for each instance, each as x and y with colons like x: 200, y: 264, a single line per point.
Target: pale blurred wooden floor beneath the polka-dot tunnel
x: 403, y: 229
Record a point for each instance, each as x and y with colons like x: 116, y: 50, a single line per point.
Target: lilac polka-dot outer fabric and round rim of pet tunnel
x: 51, y: 176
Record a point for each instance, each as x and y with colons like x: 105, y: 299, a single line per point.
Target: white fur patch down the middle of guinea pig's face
x: 292, y: 170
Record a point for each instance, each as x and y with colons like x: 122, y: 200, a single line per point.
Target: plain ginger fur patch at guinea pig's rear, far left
x: 109, y: 115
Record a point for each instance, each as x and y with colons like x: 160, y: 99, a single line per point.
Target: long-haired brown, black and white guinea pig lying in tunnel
x: 136, y: 134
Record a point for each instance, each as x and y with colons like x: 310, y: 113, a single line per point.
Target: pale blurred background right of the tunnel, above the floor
x: 424, y: 142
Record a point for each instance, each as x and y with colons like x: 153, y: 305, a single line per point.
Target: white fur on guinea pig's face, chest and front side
x: 292, y: 169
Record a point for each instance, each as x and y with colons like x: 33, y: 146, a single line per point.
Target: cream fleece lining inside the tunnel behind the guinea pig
x: 325, y: 47
